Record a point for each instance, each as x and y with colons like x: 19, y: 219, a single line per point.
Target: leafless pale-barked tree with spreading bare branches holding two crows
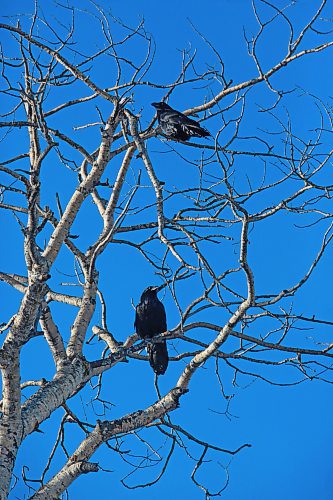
x: 61, y: 118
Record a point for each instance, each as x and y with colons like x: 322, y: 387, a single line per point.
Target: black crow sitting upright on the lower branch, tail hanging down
x: 150, y: 320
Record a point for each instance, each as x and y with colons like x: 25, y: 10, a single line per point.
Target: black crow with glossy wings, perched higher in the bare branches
x: 175, y: 125
